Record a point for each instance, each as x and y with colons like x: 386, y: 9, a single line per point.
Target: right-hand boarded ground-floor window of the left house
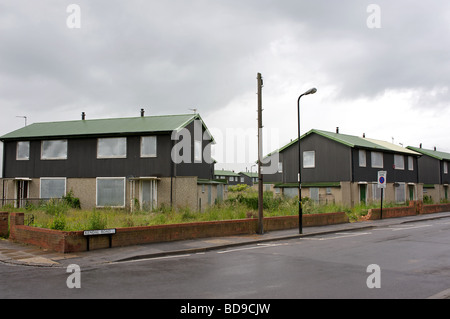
x: 111, y: 192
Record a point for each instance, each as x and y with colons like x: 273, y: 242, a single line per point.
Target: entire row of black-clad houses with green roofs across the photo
x: 149, y: 161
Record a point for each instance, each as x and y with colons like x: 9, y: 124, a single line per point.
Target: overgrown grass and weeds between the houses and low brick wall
x: 243, y: 204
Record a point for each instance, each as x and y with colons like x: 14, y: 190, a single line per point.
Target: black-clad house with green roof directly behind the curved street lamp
x: 343, y: 168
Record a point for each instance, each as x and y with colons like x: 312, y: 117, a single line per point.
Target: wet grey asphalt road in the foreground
x: 413, y: 260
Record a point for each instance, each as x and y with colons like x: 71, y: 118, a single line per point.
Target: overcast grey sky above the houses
x: 382, y: 72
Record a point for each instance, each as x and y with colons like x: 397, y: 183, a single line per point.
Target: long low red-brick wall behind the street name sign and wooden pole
x: 69, y: 242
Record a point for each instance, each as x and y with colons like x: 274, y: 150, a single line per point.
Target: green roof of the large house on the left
x: 116, y: 126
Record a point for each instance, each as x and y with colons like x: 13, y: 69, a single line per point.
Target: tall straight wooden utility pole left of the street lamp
x: 260, y: 157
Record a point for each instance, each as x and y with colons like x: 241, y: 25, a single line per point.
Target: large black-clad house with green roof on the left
x: 144, y: 161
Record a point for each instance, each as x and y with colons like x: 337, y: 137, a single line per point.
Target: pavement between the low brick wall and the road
x: 27, y: 255
